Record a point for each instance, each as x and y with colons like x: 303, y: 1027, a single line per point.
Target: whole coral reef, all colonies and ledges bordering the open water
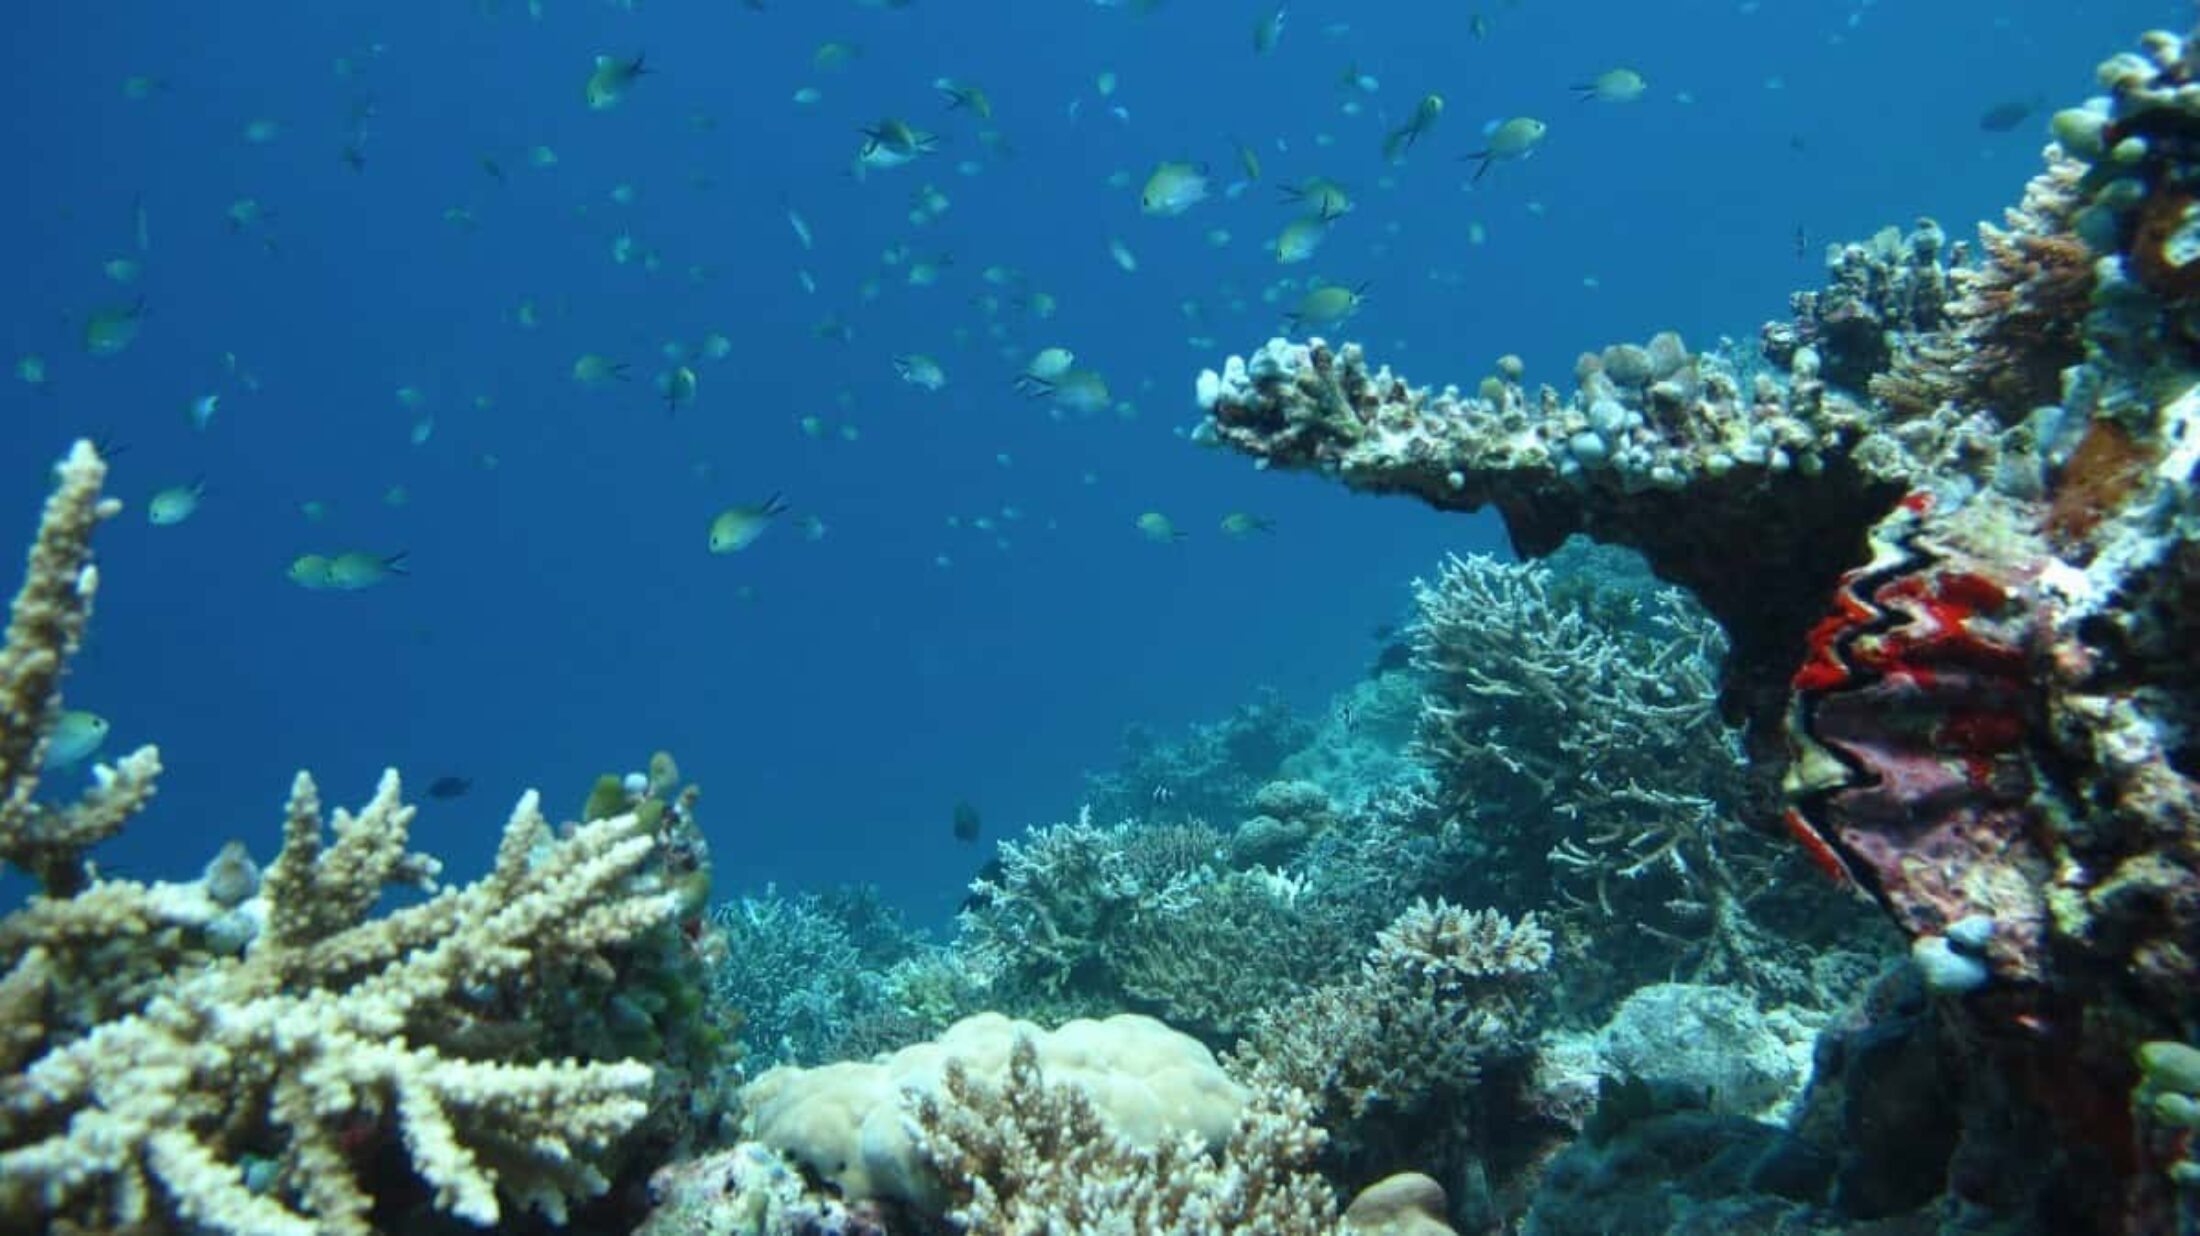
x: 1838, y: 868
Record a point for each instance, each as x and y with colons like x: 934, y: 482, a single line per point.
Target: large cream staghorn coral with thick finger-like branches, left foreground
x: 232, y: 1092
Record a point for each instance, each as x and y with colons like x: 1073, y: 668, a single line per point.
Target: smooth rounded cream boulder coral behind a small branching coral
x: 850, y: 1125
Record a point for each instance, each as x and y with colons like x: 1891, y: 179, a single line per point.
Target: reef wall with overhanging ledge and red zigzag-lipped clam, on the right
x: 1952, y: 529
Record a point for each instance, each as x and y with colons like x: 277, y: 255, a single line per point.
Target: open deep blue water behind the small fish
x: 835, y: 698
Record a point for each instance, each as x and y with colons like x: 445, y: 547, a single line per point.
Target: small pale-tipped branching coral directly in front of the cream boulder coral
x: 1037, y: 1156
